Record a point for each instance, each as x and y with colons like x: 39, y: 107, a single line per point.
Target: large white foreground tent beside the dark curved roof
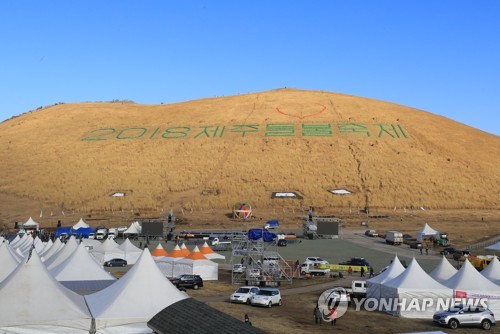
x: 128, y: 304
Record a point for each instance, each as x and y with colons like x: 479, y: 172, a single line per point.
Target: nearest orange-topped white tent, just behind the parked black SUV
x: 197, y: 264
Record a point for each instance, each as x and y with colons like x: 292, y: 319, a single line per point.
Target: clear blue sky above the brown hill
x: 439, y: 56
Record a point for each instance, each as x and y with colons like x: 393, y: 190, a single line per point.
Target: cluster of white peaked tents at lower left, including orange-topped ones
x: 38, y: 295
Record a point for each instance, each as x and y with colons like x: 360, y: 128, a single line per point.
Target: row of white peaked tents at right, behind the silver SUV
x: 444, y: 282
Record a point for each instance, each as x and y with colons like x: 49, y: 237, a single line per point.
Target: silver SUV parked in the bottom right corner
x: 461, y: 315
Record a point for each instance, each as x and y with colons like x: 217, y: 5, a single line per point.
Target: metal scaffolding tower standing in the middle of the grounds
x: 262, y: 265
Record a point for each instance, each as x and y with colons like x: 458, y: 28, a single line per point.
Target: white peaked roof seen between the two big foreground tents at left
x: 80, y: 266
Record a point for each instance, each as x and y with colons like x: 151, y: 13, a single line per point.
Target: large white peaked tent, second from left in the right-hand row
x: 413, y: 285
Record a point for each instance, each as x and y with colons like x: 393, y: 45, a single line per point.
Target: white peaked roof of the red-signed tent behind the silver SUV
x: 468, y: 278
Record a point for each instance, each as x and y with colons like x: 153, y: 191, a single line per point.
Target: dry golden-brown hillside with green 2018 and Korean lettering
x: 75, y: 156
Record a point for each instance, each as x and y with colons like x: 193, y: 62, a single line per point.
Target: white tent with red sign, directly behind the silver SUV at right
x: 469, y: 283
